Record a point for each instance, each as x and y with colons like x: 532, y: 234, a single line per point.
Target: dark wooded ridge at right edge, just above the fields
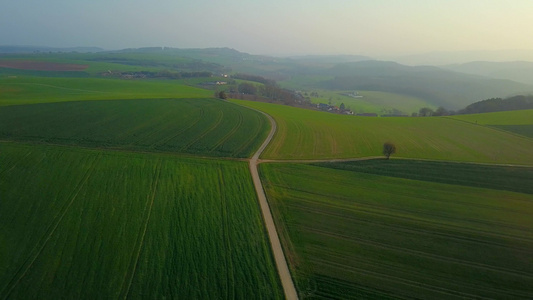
x: 499, y: 104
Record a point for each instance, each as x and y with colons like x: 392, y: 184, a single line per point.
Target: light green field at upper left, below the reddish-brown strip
x: 25, y: 90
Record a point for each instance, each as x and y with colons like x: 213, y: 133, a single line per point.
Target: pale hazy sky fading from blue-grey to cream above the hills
x: 279, y: 27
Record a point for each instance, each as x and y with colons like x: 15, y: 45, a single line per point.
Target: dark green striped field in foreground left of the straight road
x: 95, y: 224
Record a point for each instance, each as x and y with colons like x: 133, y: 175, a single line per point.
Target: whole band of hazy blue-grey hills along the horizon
x: 452, y: 87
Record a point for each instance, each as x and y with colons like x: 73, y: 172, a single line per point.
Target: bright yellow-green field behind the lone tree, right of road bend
x: 307, y: 134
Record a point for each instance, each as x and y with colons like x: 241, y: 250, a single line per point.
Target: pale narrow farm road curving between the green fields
x: 279, y: 257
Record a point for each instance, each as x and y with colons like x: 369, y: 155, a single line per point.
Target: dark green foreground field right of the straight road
x: 365, y: 236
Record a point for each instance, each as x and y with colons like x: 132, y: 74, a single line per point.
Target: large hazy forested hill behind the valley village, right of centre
x: 440, y: 87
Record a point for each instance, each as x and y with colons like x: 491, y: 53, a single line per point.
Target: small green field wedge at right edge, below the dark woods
x: 517, y: 121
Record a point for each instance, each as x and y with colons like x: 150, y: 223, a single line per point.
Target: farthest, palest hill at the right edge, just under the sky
x: 519, y: 71
